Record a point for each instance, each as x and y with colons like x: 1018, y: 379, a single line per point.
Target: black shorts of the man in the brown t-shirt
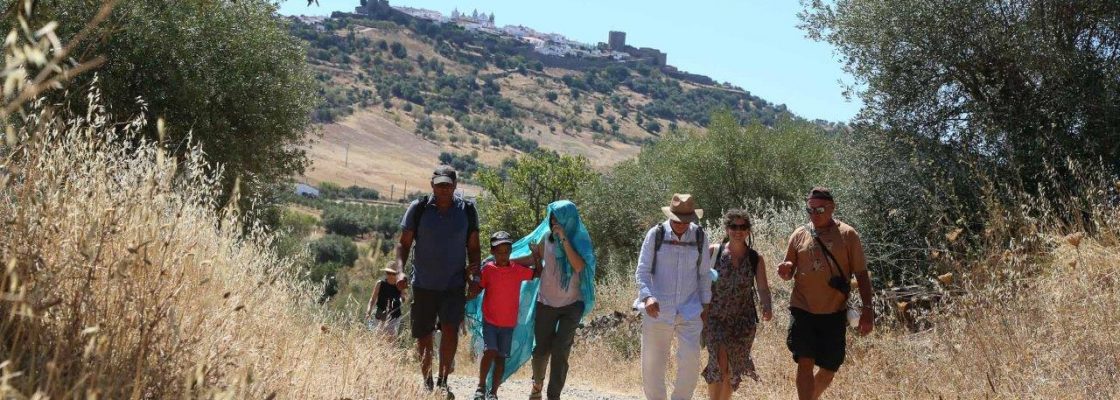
x: 818, y: 337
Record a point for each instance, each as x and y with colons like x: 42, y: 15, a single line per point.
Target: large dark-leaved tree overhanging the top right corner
x: 1010, y: 85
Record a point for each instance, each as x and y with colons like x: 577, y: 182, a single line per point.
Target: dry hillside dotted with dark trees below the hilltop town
x: 399, y: 91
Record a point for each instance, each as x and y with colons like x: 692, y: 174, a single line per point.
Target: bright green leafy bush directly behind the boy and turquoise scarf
x: 516, y: 203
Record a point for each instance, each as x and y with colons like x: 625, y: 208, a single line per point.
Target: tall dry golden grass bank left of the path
x: 125, y: 280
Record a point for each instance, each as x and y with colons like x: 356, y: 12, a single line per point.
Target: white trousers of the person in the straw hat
x: 657, y: 338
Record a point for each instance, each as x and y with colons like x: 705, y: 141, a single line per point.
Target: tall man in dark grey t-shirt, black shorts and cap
x: 445, y: 232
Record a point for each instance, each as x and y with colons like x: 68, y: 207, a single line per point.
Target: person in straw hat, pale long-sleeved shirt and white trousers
x: 675, y: 290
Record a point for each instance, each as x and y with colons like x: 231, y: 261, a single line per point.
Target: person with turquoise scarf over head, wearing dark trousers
x: 552, y: 308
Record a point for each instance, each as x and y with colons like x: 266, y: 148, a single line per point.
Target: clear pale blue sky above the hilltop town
x: 753, y: 44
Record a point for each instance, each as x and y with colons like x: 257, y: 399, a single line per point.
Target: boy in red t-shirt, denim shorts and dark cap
x: 502, y: 282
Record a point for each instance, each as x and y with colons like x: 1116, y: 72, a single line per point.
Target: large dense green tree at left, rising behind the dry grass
x: 226, y: 75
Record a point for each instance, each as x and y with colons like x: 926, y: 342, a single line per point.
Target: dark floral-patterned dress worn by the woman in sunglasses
x: 732, y: 320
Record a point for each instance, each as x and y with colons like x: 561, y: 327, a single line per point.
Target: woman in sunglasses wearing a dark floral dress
x: 733, y: 318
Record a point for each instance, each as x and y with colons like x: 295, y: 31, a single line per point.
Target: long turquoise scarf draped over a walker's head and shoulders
x: 524, y: 334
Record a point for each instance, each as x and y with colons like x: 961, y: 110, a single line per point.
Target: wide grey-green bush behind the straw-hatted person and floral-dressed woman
x: 725, y: 169
